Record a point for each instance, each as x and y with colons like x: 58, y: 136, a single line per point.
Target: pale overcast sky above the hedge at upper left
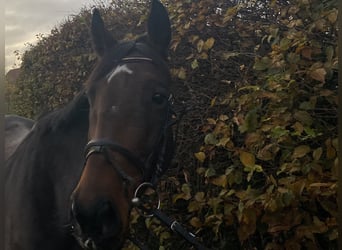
x: 24, y: 19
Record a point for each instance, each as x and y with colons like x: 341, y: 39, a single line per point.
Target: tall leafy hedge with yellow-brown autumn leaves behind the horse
x: 256, y: 162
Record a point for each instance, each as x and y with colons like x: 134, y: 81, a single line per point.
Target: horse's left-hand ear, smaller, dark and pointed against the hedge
x: 102, y: 39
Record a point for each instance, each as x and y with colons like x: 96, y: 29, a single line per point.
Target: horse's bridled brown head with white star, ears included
x: 129, y: 129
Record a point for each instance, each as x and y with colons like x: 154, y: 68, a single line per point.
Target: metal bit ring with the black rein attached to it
x: 144, y: 205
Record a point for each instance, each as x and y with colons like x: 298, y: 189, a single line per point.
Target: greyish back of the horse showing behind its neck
x: 16, y: 129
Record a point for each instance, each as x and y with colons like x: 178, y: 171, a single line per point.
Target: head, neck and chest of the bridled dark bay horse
x: 70, y: 183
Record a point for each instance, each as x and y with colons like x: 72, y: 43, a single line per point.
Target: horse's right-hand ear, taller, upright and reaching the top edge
x: 159, y: 27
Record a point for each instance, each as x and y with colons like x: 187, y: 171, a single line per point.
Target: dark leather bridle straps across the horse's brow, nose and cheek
x: 152, y: 169
